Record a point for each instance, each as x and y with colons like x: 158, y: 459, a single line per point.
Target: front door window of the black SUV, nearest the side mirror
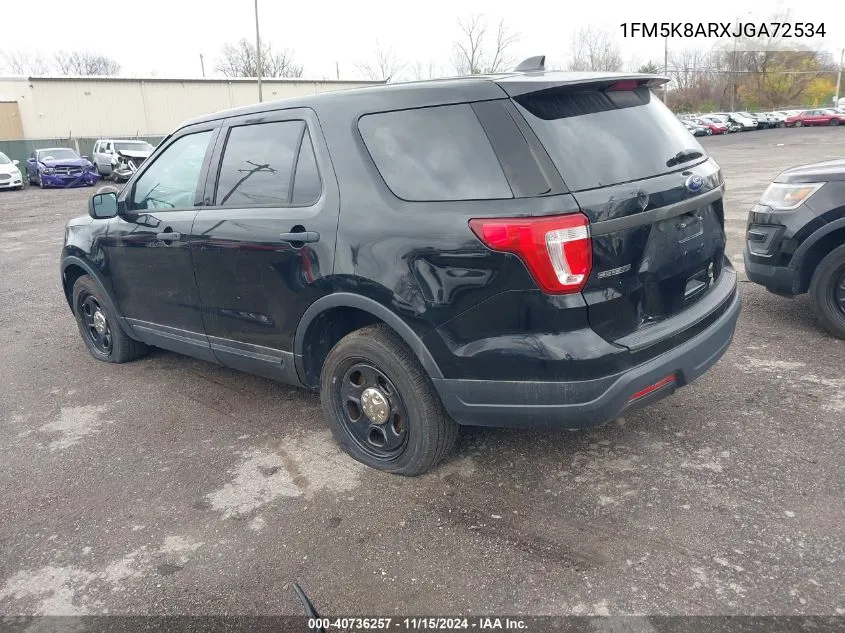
x: 171, y: 181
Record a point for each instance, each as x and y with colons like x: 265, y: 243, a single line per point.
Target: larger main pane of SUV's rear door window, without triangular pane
x: 257, y: 165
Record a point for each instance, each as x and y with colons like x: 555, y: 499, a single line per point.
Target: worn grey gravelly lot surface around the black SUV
x: 170, y: 485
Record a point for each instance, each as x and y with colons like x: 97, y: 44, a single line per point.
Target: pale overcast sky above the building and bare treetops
x: 166, y: 37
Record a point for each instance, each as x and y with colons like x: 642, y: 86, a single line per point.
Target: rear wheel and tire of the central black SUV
x: 381, y: 405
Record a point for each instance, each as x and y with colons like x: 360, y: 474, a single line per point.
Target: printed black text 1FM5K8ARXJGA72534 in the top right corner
x: 752, y: 30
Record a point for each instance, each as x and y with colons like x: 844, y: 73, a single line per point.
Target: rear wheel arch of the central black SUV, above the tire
x: 355, y: 311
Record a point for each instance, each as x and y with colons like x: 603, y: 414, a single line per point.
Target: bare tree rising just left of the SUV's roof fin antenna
x: 474, y: 55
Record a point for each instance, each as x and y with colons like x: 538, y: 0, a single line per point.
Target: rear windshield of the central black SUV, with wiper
x: 598, y: 138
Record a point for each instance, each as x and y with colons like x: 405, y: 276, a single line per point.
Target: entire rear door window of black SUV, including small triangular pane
x: 268, y: 164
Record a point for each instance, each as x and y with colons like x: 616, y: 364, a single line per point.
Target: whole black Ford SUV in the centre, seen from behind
x: 521, y: 249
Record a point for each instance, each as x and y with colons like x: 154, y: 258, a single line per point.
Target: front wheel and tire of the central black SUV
x: 98, y: 325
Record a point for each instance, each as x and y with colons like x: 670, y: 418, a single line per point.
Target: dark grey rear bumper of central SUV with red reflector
x: 591, y: 402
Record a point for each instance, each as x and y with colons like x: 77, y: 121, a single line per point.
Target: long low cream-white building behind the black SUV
x: 74, y: 107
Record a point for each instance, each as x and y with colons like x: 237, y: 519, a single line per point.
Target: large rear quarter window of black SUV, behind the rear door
x: 437, y: 153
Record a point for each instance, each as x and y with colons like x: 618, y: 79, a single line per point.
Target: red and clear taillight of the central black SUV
x: 556, y: 249
